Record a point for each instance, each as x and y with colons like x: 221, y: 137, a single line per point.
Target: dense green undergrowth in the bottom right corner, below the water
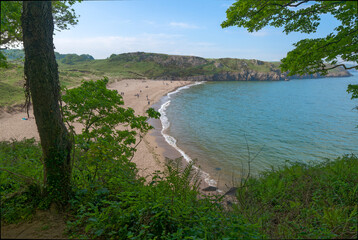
x: 304, y: 201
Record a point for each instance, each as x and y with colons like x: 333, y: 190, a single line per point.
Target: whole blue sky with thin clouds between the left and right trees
x: 182, y: 27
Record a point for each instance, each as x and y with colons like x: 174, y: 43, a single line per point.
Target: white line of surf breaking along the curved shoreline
x: 171, y: 140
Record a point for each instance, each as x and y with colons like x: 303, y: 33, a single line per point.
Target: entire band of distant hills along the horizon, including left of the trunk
x: 140, y: 65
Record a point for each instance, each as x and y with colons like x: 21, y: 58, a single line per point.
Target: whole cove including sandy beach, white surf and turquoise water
x: 175, y: 136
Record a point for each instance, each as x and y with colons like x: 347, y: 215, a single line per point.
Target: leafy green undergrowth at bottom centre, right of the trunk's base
x: 168, y: 208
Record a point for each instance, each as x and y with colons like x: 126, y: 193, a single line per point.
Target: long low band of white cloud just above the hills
x: 103, y: 47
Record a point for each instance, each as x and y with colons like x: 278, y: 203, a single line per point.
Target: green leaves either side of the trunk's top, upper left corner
x: 11, y: 31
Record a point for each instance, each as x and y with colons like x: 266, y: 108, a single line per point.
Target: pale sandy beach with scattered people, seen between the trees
x: 151, y: 152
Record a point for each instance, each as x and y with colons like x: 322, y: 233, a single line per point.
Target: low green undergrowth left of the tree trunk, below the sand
x: 20, y: 179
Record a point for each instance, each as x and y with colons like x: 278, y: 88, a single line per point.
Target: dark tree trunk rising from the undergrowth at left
x: 41, y: 72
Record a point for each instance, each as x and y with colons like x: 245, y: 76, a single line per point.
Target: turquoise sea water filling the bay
x: 298, y: 120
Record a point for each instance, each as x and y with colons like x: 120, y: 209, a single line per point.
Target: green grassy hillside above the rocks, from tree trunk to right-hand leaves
x: 157, y: 66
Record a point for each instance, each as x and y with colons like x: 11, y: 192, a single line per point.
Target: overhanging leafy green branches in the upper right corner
x: 310, y: 55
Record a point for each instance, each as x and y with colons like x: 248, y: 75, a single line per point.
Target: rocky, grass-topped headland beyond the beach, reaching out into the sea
x: 174, y: 67
